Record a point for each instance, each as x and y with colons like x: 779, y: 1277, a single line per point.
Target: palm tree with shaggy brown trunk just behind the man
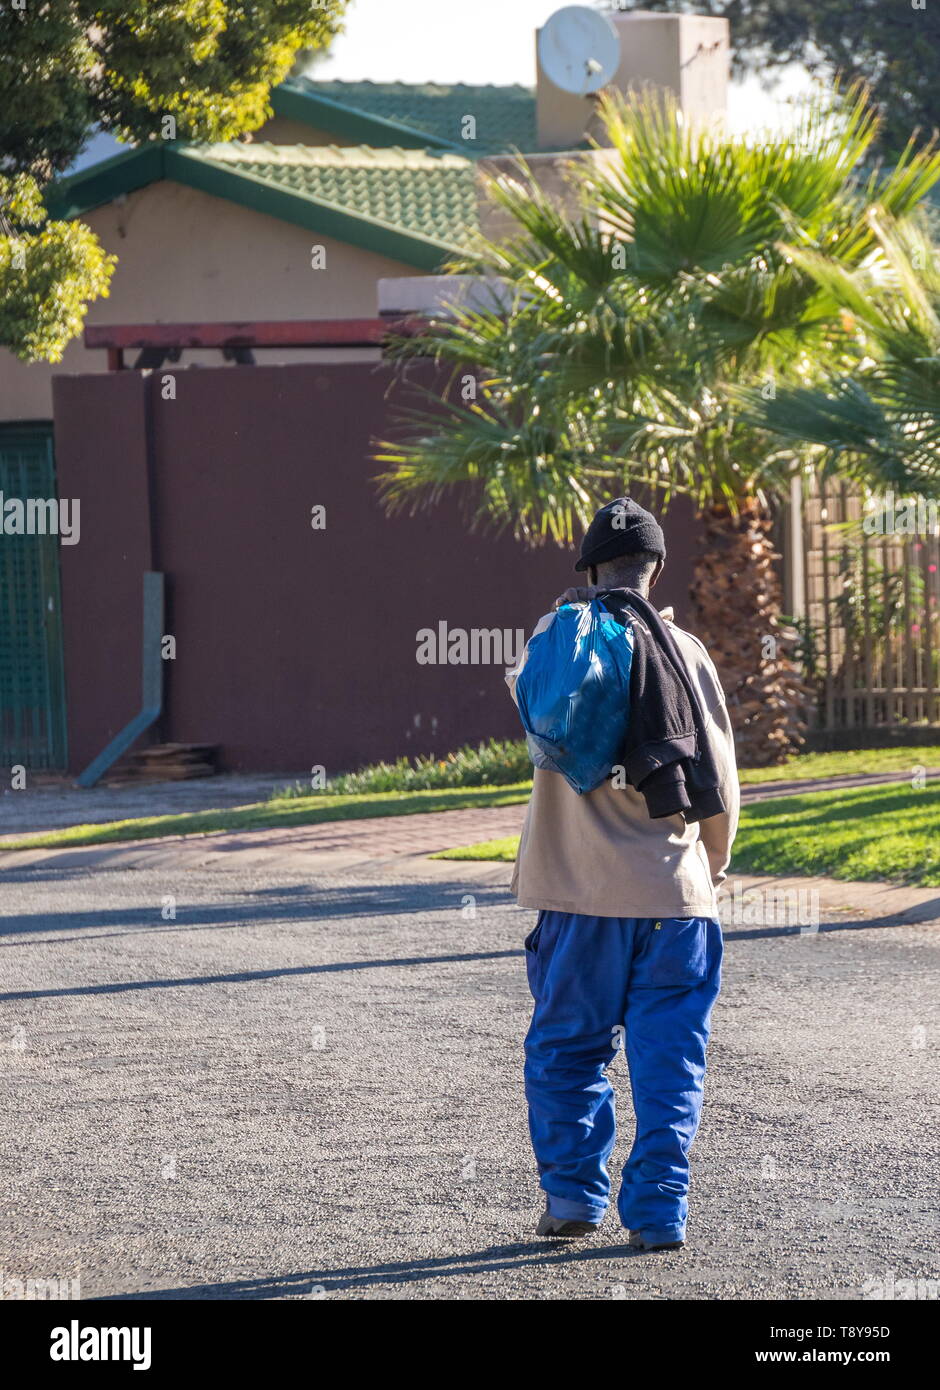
x: 614, y: 332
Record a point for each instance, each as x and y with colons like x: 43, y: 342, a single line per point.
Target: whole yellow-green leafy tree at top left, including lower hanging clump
x: 141, y: 70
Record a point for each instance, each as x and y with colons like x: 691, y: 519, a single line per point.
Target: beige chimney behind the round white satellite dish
x: 688, y: 55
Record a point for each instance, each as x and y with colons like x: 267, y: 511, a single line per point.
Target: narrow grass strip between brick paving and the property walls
x: 309, y: 811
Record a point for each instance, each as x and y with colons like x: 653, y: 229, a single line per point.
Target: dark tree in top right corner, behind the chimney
x: 892, y: 48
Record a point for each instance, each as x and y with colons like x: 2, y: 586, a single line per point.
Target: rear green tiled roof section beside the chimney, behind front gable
x: 383, y: 113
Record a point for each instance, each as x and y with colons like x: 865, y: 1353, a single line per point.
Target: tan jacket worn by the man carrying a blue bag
x: 601, y: 854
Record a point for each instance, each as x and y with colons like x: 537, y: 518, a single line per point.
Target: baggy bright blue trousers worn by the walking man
x: 599, y: 983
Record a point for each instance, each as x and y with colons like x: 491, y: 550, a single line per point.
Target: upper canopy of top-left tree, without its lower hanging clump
x: 201, y: 70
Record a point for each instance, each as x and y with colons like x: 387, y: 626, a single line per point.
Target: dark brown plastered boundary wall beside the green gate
x: 295, y: 647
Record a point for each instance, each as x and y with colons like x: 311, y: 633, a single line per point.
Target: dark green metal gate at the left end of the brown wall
x: 33, y: 683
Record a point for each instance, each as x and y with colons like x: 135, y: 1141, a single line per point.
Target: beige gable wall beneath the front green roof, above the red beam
x: 188, y: 258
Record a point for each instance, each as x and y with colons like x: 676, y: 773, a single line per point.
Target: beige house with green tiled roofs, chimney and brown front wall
x: 350, y: 184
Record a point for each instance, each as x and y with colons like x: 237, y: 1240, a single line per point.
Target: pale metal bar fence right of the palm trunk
x: 868, y: 610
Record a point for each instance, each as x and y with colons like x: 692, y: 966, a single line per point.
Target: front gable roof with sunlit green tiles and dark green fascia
x: 415, y: 206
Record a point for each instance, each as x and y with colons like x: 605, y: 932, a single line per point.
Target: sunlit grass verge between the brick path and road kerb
x: 868, y: 833
